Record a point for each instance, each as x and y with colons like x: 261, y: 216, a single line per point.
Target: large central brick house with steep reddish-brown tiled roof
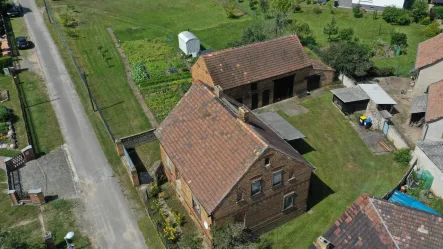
x: 228, y: 166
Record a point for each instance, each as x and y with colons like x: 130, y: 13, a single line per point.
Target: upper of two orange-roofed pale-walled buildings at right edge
x: 429, y: 63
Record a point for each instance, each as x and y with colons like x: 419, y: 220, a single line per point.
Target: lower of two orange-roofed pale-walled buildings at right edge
x: 433, y: 127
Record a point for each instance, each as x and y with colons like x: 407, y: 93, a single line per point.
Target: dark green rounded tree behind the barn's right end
x: 350, y: 58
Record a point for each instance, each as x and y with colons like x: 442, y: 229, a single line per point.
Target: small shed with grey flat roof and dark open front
x: 350, y: 99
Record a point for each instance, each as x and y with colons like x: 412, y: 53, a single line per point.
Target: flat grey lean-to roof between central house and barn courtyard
x: 280, y: 126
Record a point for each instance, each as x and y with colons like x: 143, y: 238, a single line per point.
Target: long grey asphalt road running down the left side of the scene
x: 105, y: 208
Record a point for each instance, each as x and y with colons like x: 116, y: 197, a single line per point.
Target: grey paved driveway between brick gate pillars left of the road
x: 51, y: 173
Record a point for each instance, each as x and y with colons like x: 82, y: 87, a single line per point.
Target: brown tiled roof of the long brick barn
x: 244, y: 65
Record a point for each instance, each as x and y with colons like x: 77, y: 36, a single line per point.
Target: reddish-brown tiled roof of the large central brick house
x: 212, y: 147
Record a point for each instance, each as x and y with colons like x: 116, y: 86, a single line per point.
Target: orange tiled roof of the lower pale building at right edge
x: 434, y: 110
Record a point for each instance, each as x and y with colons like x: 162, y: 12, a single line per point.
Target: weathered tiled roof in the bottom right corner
x: 379, y: 224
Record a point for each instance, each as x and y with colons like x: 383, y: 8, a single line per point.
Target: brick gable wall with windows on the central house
x: 262, y: 210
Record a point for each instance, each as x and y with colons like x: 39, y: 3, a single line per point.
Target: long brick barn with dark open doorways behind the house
x: 263, y: 73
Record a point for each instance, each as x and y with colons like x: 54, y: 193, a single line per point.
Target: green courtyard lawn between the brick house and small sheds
x: 344, y: 164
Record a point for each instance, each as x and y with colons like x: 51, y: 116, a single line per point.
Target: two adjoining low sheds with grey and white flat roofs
x: 362, y: 97
